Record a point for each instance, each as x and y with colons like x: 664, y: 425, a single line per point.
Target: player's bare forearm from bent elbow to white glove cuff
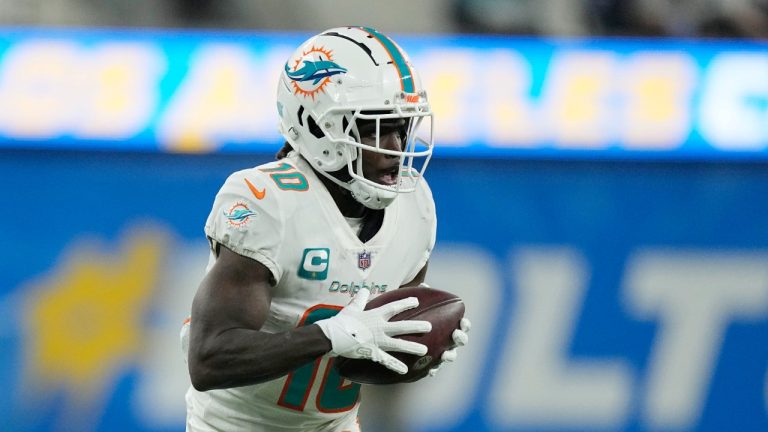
x: 240, y: 357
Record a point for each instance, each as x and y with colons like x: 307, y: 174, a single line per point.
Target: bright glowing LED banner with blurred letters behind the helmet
x: 203, y: 92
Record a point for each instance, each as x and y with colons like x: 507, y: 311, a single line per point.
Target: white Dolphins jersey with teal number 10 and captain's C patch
x: 281, y: 215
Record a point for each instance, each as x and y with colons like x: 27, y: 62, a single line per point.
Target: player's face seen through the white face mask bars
x: 377, y: 167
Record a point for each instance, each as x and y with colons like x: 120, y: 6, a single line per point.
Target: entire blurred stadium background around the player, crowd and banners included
x: 601, y: 179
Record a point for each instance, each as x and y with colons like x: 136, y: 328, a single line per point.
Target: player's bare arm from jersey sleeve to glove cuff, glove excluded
x: 226, y: 347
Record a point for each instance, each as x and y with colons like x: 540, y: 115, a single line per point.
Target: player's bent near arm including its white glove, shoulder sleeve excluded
x: 227, y: 348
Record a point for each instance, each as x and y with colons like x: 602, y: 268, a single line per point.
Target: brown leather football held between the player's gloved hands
x: 444, y: 310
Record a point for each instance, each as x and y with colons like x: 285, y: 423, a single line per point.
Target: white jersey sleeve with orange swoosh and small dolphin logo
x: 246, y: 218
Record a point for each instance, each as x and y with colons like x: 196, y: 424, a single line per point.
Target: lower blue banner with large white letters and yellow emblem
x: 604, y: 295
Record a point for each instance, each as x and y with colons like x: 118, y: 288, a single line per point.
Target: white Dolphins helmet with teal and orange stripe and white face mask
x: 344, y: 75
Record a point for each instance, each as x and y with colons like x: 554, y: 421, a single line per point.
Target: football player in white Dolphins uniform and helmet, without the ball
x: 343, y: 213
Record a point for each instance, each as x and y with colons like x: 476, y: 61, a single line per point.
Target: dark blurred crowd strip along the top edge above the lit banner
x: 648, y: 18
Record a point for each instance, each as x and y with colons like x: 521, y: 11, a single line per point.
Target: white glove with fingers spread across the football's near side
x: 367, y: 334
